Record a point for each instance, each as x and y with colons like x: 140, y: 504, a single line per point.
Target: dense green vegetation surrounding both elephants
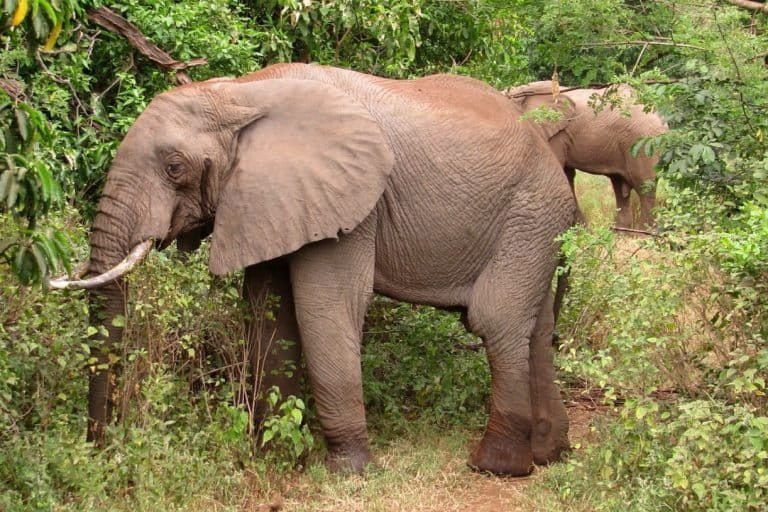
x: 670, y: 329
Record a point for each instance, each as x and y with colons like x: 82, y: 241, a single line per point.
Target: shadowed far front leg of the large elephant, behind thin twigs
x: 272, y: 333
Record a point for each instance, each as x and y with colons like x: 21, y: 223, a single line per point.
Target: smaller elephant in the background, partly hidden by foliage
x: 600, y: 143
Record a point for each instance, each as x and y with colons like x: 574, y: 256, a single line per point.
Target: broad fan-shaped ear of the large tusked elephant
x: 310, y: 164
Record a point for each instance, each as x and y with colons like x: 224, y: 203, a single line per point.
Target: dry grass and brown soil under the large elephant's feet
x: 417, y: 480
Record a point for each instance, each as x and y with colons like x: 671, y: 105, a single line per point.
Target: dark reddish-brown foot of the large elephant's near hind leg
x: 501, y: 456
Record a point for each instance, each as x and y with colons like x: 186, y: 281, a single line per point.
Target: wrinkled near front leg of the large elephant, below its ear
x: 333, y: 285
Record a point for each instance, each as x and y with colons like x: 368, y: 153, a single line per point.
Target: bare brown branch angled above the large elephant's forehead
x: 110, y: 20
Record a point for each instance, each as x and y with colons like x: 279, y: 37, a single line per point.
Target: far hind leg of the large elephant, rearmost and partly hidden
x: 549, y: 437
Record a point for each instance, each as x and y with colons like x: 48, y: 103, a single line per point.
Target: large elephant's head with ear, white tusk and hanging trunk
x: 271, y: 164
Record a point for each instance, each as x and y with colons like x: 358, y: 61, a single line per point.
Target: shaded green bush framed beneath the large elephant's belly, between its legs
x: 421, y: 362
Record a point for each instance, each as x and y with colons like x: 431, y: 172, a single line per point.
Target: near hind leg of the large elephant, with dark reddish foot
x: 503, y: 310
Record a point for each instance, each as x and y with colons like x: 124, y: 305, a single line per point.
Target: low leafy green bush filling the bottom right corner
x: 690, y: 456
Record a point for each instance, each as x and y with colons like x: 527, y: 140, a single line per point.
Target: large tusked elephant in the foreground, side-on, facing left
x: 328, y: 185
